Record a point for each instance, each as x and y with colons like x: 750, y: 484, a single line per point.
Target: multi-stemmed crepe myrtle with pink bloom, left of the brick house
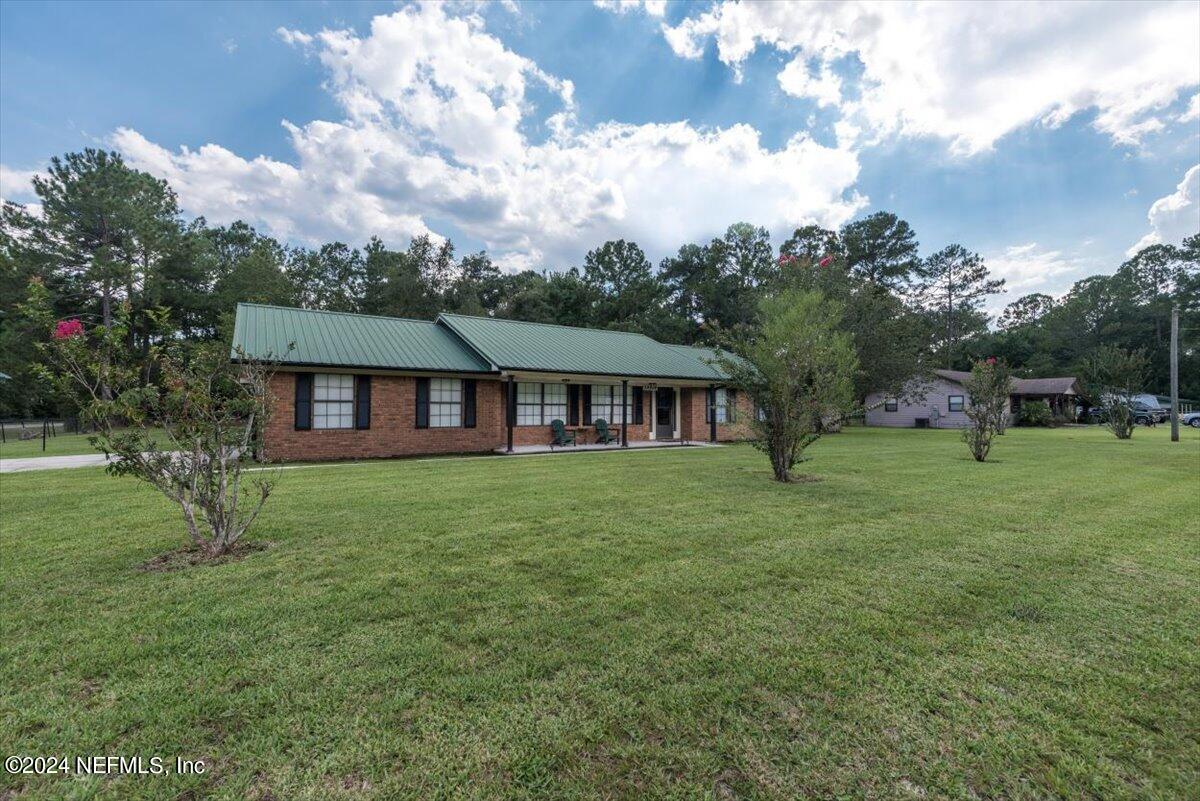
x: 184, y: 420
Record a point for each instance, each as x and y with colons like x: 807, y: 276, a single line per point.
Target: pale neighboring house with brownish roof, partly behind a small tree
x: 947, y: 400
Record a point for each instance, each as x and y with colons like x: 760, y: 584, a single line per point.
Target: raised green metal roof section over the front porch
x: 538, y: 347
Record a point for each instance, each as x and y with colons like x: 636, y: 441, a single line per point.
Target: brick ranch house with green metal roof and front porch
x: 363, y: 387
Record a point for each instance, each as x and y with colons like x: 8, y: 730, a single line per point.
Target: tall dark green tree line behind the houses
x: 106, y: 234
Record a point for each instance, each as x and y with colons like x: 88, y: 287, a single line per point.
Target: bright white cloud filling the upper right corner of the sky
x: 970, y: 73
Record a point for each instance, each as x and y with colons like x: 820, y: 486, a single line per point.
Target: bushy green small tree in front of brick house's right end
x: 797, y: 369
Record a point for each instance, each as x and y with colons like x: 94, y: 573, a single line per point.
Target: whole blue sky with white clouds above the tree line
x: 539, y: 130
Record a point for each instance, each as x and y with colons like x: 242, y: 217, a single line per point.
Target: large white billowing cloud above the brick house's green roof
x: 441, y: 125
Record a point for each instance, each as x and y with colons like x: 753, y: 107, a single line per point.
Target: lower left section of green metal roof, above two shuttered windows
x: 340, y: 340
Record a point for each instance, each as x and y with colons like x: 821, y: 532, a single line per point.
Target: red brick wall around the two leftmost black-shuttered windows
x: 393, y: 425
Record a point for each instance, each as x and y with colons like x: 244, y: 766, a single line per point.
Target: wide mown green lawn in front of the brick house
x: 661, y: 624
